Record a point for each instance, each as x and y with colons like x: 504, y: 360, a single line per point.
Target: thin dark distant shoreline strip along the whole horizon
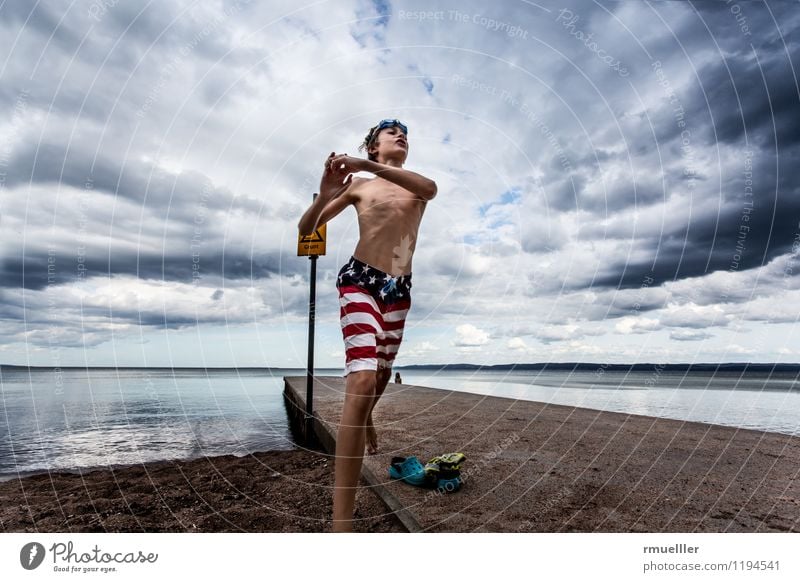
x: 558, y: 366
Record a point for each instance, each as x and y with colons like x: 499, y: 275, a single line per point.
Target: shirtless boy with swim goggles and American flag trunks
x: 374, y: 285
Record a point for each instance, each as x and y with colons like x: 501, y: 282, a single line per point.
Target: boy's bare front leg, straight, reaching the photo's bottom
x: 359, y: 395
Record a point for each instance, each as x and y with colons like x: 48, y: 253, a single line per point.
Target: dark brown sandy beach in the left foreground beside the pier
x: 282, y: 491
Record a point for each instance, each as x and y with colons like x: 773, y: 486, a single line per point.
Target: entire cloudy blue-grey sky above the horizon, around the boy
x: 619, y: 181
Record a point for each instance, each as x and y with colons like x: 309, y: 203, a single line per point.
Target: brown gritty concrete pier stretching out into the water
x: 534, y: 467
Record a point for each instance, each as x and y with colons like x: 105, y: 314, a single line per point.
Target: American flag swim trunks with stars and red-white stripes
x: 373, y: 308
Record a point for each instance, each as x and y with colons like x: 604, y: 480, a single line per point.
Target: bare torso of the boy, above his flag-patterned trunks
x: 388, y: 218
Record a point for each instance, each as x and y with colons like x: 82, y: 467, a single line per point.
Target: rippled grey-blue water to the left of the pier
x: 114, y: 417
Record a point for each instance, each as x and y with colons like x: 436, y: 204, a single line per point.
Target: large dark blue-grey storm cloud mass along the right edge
x: 746, y: 101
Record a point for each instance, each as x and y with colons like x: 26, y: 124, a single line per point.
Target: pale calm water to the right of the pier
x: 759, y: 401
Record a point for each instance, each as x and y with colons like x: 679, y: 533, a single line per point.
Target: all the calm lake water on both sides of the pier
x: 117, y: 417
